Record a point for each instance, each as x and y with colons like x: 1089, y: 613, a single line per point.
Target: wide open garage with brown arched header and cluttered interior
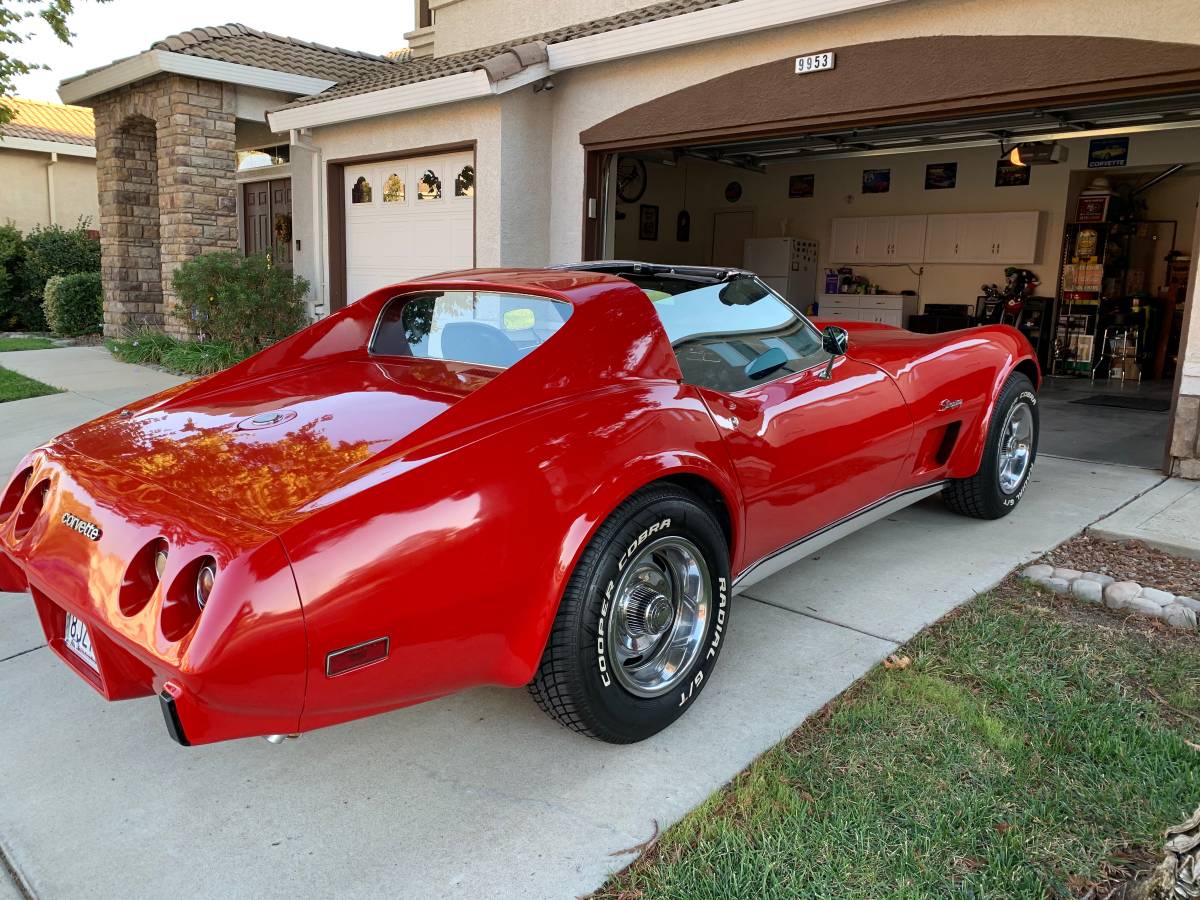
x: 926, y: 208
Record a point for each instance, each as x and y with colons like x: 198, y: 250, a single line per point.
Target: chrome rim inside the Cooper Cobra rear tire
x: 659, y: 617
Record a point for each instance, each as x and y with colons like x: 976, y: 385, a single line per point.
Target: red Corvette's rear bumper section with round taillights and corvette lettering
x: 142, y: 592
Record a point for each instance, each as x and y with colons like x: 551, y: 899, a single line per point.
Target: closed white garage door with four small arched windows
x: 409, y: 218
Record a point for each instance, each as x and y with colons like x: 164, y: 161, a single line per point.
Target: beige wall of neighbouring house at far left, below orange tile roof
x: 26, y: 194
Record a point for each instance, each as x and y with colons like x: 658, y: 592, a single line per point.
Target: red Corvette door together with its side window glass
x: 811, y: 445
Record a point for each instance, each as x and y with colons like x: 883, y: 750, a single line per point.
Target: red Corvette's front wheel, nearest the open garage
x: 995, y: 490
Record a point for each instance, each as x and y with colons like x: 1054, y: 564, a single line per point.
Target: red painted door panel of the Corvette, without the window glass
x: 809, y: 451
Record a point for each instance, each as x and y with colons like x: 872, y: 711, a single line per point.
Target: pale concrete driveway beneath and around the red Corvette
x: 478, y: 795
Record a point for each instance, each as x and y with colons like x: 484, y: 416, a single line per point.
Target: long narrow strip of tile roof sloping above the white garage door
x: 429, y: 68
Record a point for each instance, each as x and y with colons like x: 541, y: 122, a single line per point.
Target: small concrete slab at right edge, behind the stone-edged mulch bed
x: 1167, y: 518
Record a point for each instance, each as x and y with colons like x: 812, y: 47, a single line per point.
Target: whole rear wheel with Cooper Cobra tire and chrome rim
x: 643, y: 620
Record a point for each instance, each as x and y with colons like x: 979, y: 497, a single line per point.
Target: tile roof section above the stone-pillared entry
x: 250, y: 47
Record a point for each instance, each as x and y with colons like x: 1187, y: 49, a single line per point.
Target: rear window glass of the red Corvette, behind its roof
x: 478, y: 327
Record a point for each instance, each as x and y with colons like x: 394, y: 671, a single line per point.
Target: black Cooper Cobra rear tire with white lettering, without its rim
x: 575, y: 683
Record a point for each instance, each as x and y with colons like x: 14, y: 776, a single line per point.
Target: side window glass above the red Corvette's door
x: 722, y: 333
